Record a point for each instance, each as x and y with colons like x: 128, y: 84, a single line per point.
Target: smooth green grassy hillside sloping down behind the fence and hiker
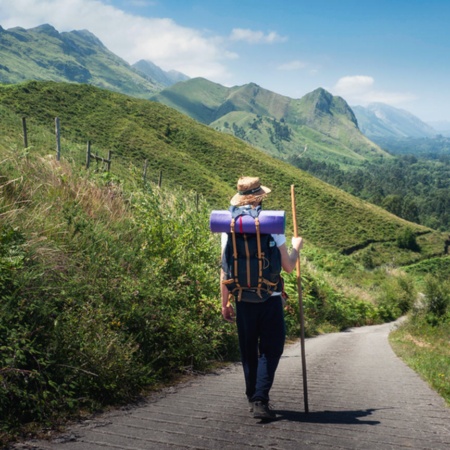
x: 198, y: 158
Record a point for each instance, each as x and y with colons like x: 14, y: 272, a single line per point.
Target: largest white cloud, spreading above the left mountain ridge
x: 131, y: 37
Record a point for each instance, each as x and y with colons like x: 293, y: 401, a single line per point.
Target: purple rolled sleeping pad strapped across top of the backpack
x: 270, y: 222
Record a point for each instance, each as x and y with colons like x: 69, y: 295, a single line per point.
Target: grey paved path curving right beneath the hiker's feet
x: 361, y: 396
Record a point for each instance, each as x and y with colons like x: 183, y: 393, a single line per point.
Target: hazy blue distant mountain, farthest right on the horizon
x: 380, y: 121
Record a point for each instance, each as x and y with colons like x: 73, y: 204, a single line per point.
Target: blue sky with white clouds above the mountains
x: 395, y: 52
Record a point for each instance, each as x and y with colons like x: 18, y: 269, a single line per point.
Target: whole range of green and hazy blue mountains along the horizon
x: 319, y: 124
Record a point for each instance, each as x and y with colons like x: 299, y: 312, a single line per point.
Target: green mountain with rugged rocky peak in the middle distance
x: 320, y: 124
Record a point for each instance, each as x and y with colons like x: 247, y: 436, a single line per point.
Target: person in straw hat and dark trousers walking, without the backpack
x: 260, y: 324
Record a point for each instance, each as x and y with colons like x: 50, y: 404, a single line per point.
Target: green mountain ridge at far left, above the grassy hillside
x: 42, y: 53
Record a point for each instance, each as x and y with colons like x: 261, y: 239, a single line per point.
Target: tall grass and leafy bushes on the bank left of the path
x: 102, y: 292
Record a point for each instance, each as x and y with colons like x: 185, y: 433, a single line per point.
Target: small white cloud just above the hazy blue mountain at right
x: 359, y: 90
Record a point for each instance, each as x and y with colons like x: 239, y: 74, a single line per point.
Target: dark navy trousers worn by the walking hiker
x: 261, y: 332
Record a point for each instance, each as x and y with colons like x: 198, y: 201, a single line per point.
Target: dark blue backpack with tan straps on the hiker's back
x: 251, y: 261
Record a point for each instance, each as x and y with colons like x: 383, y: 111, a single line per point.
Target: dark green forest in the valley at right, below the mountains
x: 416, y: 188
